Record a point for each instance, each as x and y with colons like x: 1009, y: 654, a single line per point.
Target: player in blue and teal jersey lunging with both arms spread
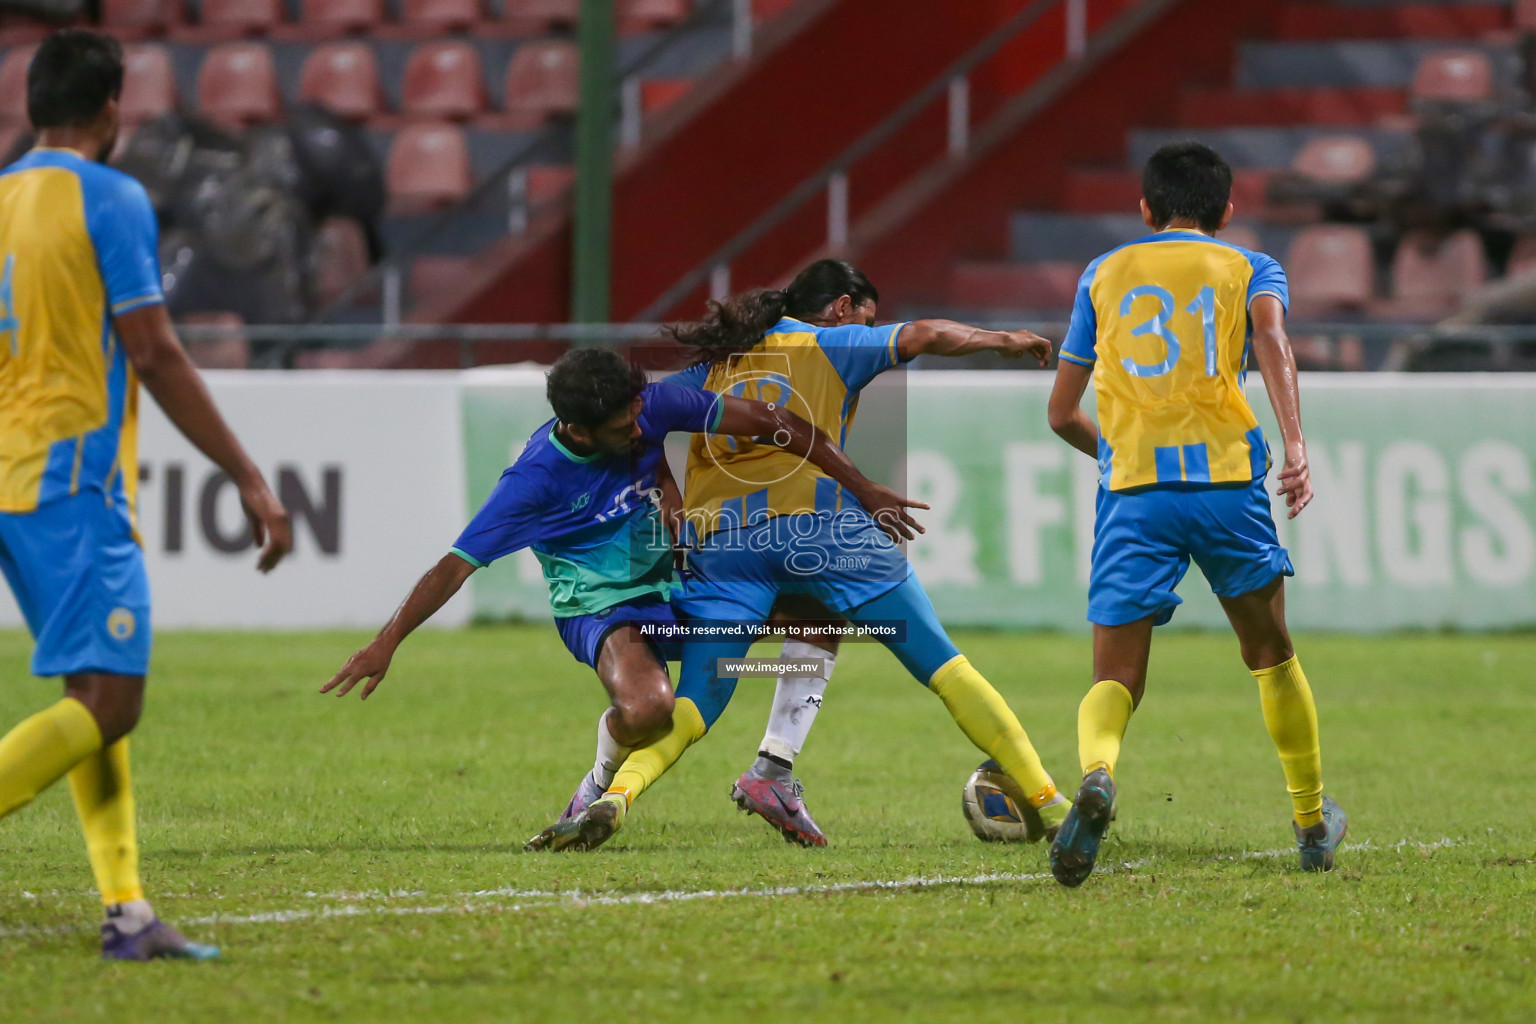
x: 584, y: 497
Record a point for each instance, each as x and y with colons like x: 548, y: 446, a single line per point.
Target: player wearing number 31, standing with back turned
x: 1164, y: 326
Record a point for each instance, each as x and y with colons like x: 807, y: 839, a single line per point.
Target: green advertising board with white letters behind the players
x: 1426, y: 510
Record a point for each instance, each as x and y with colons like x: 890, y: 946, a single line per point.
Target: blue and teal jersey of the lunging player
x: 591, y: 520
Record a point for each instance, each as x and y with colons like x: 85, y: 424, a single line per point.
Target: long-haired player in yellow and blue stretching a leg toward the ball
x: 769, y: 529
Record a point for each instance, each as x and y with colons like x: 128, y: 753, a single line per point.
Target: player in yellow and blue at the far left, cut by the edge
x: 82, y: 322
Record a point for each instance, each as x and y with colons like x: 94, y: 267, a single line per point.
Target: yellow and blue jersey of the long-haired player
x: 735, y: 481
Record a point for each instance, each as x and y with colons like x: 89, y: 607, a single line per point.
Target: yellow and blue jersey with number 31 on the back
x: 1165, y: 322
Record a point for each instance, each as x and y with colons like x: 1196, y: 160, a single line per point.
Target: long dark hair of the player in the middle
x: 741, y: 323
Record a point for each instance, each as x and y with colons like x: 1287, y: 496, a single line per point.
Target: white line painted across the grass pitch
x: 483, y: 900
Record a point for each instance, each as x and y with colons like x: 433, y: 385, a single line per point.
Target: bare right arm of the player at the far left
x: 164, y: 366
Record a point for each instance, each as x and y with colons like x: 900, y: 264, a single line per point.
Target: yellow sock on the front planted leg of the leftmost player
x: 104, y: 794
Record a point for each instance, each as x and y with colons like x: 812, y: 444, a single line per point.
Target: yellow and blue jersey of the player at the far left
x: 78, y: 248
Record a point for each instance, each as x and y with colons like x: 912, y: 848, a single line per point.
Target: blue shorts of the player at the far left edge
x: 79, y: 575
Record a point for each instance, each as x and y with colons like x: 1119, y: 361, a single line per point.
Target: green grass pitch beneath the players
x: 362, y: 862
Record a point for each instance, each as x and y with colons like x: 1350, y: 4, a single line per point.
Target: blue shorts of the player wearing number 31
x: 1145, y: 541
